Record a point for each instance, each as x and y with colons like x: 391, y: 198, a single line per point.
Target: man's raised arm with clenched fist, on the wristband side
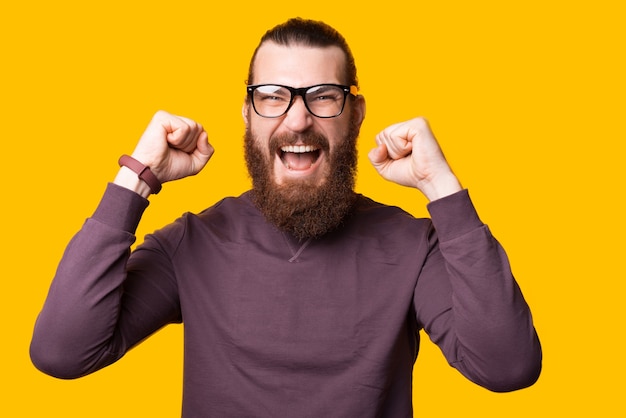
x: 95, y: 310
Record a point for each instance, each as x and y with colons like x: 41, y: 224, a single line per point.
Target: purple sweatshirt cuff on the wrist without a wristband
x: 454, y: 215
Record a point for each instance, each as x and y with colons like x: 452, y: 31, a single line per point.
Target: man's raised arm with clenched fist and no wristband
x: 466, y: 297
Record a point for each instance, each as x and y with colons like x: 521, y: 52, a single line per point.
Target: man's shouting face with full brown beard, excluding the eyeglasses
x: 302, y: 166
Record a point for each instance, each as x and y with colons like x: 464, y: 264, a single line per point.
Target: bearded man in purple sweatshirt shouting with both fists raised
x: 300, y: 298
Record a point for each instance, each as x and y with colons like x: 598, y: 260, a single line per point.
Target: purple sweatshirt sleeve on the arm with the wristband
x: 95, y: 311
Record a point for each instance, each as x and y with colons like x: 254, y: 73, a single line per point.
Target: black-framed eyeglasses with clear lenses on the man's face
x: 321, y: 100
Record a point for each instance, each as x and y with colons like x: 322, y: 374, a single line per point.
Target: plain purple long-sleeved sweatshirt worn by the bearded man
x: 280, y: 328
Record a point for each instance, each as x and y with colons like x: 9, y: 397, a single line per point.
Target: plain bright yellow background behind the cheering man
x: 527, y: 99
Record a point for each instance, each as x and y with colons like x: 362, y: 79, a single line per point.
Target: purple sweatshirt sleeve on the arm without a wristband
x: 472, y: 307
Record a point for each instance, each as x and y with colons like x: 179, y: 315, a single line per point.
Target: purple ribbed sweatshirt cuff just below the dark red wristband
x: 120, y: 208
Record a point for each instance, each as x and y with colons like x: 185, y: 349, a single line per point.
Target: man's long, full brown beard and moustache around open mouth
x: 300, y: 207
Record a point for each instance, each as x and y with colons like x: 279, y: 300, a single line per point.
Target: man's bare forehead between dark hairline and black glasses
x: 298, y: 65
